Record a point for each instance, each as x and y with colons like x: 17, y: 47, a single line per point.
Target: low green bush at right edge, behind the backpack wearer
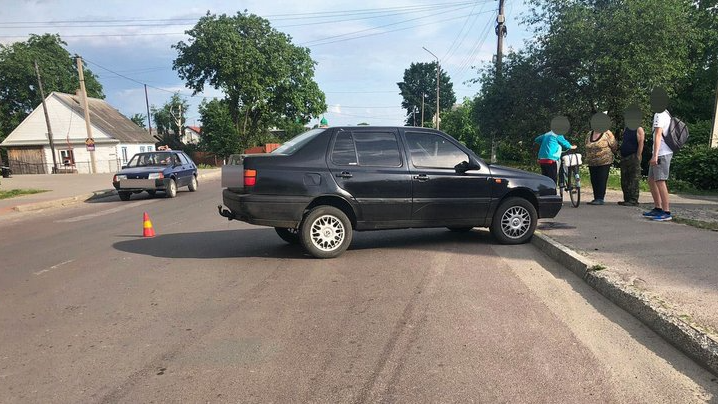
x: 697, y: 165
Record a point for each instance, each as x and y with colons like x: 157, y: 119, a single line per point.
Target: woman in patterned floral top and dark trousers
x: 600, y: 148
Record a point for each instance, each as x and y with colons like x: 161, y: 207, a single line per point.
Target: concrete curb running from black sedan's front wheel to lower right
x: 649, y: 309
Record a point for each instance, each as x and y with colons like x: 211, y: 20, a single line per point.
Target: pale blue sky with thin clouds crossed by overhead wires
x: 361, y: 48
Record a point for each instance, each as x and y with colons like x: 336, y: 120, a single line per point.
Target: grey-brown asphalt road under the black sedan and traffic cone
x: 218, y: 311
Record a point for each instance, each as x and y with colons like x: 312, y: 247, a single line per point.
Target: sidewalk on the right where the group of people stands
x: 673, y: 267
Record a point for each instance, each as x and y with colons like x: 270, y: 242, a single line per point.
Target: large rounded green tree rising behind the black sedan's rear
x: 265, y: 78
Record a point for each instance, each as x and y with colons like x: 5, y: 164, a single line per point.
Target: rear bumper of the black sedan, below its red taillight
x: 265, y: 210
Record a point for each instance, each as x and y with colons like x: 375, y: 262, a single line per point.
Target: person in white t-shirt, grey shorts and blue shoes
x: 660, y: 162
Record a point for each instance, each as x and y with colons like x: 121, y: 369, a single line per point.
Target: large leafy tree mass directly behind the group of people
x: 587, y: 56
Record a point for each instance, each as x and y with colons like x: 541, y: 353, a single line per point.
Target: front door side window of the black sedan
x: 433, y: 151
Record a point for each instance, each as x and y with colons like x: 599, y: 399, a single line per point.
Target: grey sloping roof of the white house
x: 107, y: 118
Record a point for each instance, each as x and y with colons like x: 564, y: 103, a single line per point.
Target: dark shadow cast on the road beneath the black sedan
x: 264, y: 242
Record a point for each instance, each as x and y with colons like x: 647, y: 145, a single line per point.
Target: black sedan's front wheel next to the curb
x: 514, y: 221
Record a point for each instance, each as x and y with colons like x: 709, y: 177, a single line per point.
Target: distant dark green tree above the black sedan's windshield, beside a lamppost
x: 420, y: 78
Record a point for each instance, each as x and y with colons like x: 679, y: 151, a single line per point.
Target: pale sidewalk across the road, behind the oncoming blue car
x: 63, y: 189
